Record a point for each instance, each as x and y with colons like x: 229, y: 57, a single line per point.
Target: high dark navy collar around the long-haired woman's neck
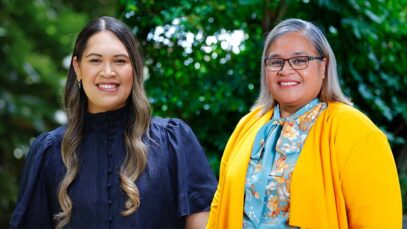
x: 109, y: 121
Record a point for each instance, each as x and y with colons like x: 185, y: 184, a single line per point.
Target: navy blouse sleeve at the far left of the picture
x: 32, y: 209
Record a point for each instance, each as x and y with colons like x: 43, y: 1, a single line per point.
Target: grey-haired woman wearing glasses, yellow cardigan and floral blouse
x: 304, y: 157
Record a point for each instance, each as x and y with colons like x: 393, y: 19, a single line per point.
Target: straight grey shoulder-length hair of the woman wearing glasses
x: 330, y: 90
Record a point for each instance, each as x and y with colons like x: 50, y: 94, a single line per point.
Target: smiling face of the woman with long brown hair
x: 106, y: 72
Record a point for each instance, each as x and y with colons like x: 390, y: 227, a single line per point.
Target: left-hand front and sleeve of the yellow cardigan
x: 222, y: 215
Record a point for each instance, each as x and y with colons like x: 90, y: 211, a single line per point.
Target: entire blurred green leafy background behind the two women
x: 202, y: 65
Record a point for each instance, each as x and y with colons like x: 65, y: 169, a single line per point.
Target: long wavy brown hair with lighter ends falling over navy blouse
x: 75, y: 104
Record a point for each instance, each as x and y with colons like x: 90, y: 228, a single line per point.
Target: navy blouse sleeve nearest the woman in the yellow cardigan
x: 196, y: 183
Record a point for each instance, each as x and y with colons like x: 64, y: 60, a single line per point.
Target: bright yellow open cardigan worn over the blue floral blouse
x: 345, y: 176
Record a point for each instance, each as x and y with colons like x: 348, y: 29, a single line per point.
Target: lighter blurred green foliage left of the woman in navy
x: 35, y: 37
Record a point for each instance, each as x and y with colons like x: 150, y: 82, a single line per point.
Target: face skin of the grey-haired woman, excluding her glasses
x: 293, y: 89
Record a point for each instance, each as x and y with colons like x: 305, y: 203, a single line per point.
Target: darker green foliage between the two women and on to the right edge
x: 212, y: 89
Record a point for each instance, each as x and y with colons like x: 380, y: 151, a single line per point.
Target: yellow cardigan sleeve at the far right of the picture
x: 370, y: 184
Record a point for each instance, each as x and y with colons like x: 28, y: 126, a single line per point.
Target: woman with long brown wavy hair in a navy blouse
x: 113, y: 165
